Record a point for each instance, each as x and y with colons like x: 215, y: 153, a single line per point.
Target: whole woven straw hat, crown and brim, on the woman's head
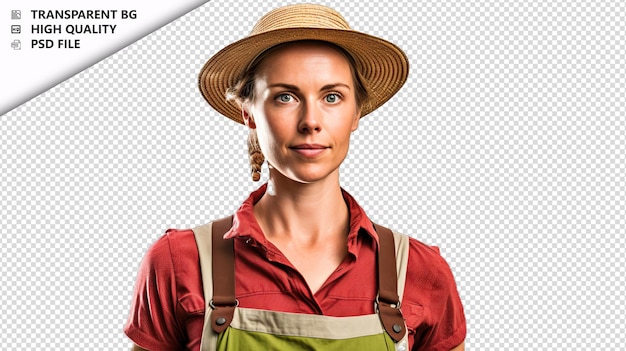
x: 383, y: 65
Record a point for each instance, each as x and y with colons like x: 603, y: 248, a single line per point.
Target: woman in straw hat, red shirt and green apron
x: 299, y: 266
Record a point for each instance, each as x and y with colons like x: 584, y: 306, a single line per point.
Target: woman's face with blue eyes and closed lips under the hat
x: 304, y: 110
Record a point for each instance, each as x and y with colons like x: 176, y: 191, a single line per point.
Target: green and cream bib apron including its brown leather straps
x: 228, y: 327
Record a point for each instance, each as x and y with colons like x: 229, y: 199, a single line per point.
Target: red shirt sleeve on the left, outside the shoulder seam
x: 153, y: 323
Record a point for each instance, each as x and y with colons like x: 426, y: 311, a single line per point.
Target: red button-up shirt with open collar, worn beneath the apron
x: 168, y: 306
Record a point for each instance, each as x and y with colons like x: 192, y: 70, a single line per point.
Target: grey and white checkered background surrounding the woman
x: 506, y: 148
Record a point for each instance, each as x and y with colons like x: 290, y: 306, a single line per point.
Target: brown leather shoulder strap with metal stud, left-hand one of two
x: 223, y: 302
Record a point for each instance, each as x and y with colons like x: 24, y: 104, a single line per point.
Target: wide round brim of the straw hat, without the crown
x: 383, y: 65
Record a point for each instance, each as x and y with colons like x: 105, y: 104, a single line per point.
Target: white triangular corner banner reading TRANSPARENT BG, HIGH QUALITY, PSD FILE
x: 43, y: 42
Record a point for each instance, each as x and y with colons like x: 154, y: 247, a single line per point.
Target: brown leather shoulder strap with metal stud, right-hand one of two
x: 388, y: 300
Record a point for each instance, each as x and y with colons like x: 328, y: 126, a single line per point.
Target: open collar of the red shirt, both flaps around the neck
x: 245, y: 224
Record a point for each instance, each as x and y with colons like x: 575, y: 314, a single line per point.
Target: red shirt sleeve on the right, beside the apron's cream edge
x: 431, y: 303
